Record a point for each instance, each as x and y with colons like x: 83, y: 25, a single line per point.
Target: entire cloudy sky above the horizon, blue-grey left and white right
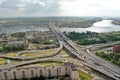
x: 34, y: 8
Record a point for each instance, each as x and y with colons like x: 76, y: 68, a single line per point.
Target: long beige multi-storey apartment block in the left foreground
x: 36, y: 71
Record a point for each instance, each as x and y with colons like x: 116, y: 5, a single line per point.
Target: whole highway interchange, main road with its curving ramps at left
x: 82, y: 57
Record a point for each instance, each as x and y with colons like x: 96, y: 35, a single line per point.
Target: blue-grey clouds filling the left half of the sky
x: 30, y: 8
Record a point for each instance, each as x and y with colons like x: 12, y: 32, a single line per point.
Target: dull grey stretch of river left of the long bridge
x: 22, y: 28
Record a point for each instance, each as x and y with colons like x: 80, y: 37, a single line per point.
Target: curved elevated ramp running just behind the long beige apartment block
x: 64, y: 60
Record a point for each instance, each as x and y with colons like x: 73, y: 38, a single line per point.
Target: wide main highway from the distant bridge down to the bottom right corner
x: 91, y: 61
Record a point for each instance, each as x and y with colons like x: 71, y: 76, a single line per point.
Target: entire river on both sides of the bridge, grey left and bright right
x: 100, y: 27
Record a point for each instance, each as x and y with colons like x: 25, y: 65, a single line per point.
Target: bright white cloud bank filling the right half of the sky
x: 90, y: 8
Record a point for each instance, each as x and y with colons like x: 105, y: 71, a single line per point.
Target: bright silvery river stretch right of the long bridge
x: 100, y: 27
